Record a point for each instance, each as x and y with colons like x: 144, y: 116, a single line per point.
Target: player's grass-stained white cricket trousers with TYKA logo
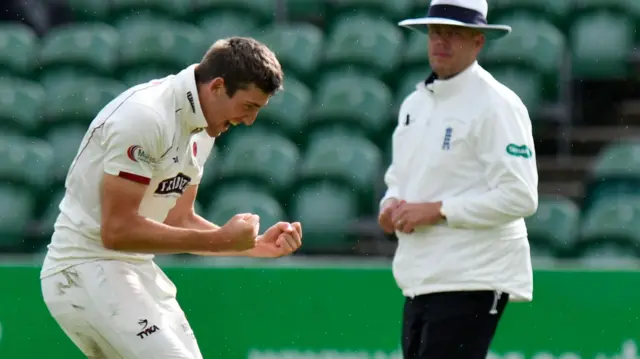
x: 120, y: 310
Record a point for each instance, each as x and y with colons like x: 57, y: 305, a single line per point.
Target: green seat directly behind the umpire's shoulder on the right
x: 527, y: 84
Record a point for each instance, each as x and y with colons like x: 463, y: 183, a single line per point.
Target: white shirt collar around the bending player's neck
x: 187, y: 99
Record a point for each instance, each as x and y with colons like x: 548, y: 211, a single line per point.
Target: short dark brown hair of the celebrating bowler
x: 241, y: 61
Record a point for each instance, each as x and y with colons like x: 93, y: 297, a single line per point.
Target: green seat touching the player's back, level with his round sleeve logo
x: 65, y: 141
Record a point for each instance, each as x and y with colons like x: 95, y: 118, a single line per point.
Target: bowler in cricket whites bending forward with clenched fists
x: 130, y: 194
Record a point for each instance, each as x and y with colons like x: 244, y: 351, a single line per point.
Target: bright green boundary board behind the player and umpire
x: 345, y: 310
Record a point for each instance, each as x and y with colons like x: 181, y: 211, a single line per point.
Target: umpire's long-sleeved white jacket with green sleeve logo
x: 465, y: 141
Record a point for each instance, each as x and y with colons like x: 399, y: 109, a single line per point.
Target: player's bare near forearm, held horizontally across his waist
x: 143, y: 235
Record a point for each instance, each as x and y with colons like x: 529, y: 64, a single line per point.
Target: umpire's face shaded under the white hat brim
x: 453, y: 48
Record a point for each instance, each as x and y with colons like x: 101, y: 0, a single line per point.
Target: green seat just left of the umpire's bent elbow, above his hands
x: 351, y: 160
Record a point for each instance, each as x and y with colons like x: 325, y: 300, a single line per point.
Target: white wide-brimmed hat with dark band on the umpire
x: 465, y: 13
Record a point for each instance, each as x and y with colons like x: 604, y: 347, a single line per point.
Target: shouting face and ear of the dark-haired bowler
x: 222, y: 111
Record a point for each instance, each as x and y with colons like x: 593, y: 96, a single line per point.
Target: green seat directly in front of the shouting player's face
x: 288, y: 109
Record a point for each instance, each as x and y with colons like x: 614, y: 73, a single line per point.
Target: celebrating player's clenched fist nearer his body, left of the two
x: 241, y: 231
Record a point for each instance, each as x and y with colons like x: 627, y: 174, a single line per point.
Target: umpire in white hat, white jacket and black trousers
x: 462, y: 179
